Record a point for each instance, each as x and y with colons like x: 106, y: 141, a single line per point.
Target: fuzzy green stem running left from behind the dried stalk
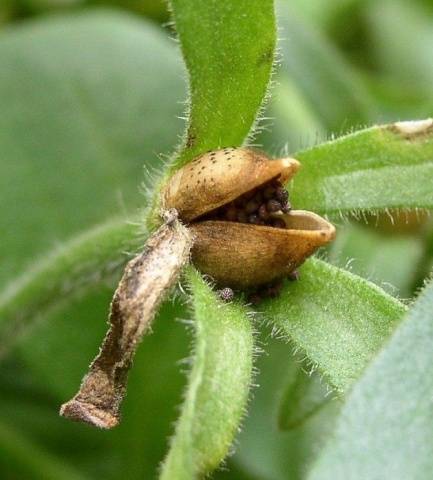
x: 82, y: 264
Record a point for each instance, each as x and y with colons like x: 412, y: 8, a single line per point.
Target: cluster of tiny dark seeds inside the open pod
x: 258, y: 206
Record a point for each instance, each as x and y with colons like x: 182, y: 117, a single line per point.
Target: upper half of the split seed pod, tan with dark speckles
x: 218, y: 177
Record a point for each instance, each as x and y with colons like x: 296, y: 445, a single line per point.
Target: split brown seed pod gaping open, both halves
x: 236, y: 253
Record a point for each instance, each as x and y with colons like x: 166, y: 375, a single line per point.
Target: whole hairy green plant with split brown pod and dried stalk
x: 240, y: 230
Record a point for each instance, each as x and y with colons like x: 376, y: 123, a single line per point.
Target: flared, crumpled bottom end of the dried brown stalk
x: 88, y: 413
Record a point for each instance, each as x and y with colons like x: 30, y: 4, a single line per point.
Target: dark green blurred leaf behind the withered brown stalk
x: 51, y: 363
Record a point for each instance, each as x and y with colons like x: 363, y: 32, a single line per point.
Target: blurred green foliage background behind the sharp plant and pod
x: 90, y: 91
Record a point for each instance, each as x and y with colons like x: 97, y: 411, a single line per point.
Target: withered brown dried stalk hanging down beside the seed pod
x: 144, y: 284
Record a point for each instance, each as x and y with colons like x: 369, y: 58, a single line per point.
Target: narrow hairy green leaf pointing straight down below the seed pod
x: 218, y: 385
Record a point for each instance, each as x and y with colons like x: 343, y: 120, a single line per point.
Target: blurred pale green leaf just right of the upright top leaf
x: 321, y: 73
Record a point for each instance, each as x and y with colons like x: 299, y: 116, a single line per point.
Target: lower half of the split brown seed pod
x: 243, y: 255
